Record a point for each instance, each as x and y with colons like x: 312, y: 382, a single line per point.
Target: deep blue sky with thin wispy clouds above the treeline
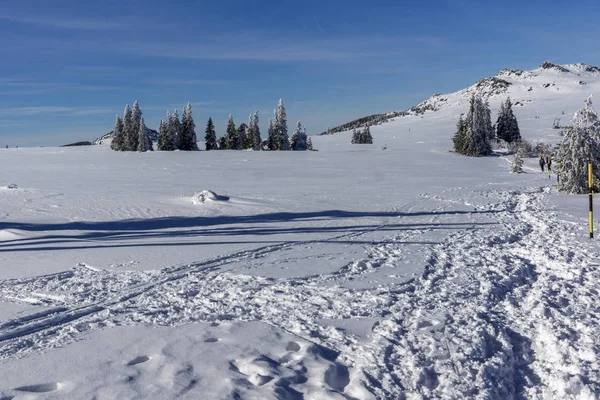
x: 68, y: 67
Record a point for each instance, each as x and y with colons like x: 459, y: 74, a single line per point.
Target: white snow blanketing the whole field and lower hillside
x: 406, y: 273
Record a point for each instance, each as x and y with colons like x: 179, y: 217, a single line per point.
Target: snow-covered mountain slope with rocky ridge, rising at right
x: 548, y: 92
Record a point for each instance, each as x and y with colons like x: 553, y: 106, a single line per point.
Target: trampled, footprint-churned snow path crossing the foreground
x: 506, y: 308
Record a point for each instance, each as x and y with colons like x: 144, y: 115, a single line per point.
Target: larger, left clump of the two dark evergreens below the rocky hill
x: 475, y: 131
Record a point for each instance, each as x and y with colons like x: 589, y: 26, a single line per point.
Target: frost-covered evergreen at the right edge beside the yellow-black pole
x: 580, y: 145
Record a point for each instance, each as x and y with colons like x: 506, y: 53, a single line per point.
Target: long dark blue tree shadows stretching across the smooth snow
x: 109, y: 233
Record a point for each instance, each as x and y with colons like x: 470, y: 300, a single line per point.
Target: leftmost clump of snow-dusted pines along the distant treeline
x: 130, y: 133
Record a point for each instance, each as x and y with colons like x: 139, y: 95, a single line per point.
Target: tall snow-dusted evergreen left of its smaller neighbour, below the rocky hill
x: 476, y: 136
